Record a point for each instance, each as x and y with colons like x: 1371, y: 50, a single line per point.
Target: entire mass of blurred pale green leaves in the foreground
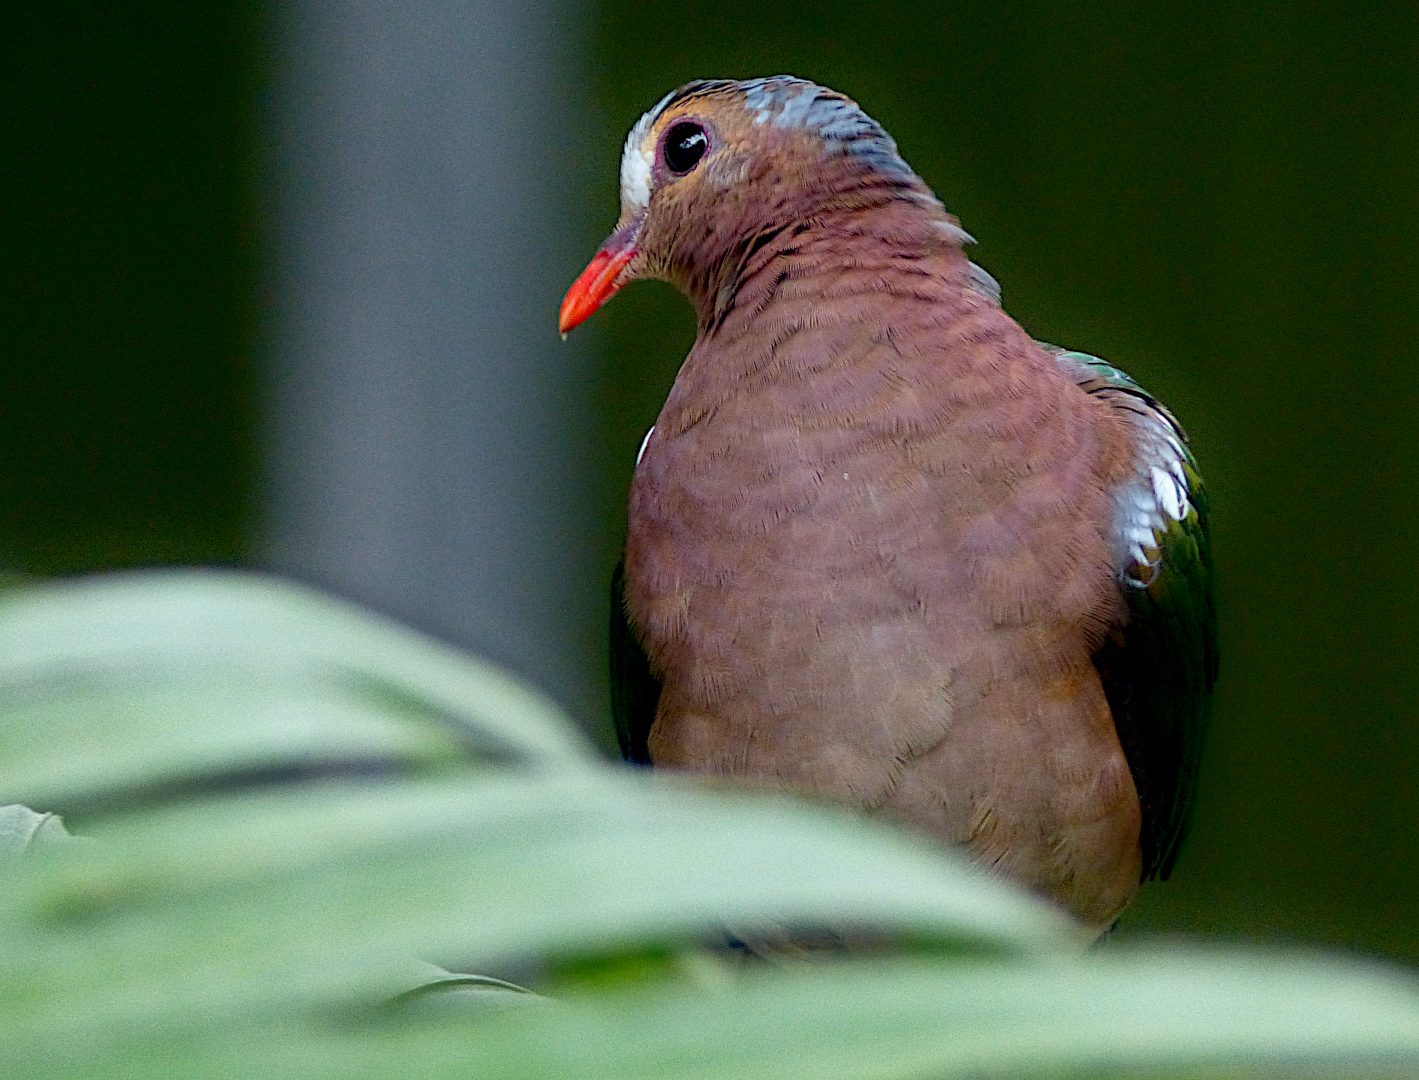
x: 255, y: 908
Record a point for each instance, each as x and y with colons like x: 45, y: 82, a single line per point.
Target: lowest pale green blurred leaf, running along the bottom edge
x: 1181, y: 1015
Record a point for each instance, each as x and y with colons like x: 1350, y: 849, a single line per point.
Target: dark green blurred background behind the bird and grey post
x: 1221, y: 199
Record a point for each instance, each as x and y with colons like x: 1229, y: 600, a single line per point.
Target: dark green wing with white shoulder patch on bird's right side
x: 1159, y: 671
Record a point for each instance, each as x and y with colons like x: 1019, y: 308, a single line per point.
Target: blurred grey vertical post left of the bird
x: 429, y: 442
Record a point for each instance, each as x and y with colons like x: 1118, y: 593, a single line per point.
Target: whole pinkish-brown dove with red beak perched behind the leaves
x: 883, y: 547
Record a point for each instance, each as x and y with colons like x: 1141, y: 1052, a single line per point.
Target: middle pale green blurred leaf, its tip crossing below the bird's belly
x: 243, y: 906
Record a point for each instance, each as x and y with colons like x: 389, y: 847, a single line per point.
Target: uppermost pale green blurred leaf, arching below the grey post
x: 133, y: 683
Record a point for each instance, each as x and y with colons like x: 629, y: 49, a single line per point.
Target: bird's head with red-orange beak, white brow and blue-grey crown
x: 720, y: 165
